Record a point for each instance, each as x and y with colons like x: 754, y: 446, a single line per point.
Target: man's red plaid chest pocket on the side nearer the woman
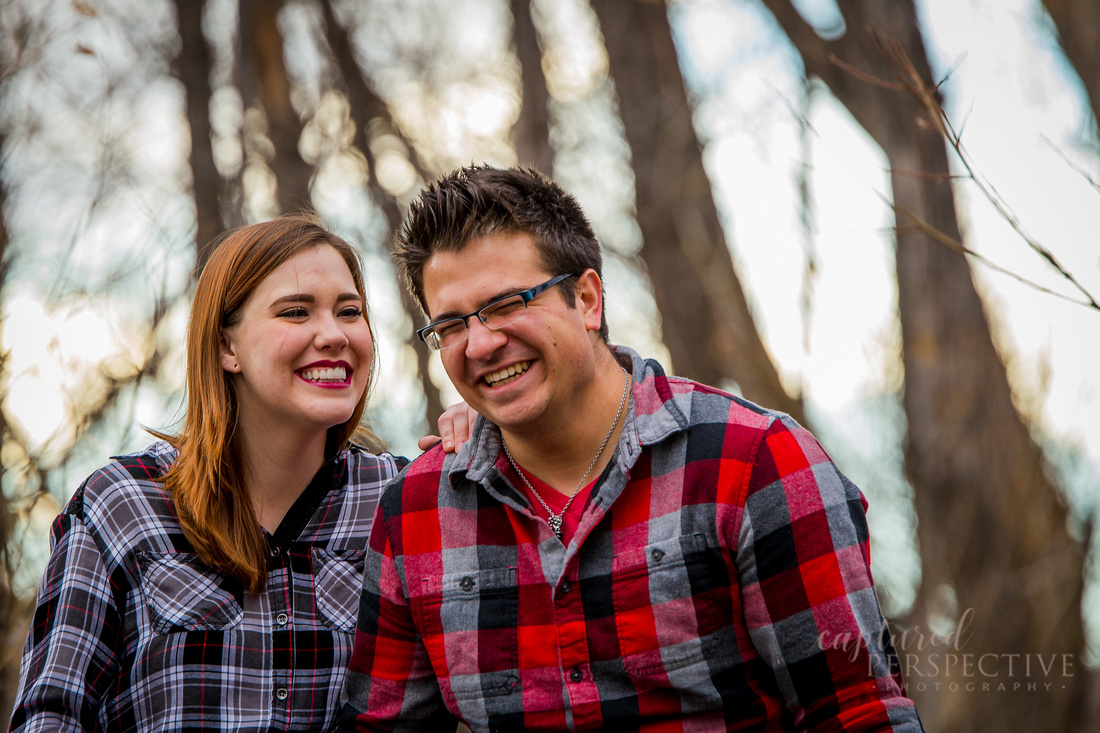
x: 471, y: 632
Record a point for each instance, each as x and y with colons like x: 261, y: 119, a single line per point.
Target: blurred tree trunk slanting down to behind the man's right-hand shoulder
x: 707, y: 321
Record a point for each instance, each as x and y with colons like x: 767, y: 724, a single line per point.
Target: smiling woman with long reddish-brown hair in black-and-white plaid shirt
x: 213, y: 579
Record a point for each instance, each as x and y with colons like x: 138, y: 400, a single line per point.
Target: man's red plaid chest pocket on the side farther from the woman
x: 666, y: 614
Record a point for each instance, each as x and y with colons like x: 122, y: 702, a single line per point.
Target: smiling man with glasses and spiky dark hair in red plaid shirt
x: 614, y: 549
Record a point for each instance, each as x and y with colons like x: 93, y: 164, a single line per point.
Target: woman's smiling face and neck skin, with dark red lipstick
x: 300, y: 355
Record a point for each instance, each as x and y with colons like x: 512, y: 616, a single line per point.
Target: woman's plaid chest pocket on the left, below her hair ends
x: 185, y: 595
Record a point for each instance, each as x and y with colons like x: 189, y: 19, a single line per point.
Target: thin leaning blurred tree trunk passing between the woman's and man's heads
x: 373, y: 114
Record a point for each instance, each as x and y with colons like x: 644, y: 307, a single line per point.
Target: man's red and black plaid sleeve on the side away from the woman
x: 809, y: 598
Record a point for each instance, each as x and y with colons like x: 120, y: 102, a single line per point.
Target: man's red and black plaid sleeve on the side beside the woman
x: 391, y: 685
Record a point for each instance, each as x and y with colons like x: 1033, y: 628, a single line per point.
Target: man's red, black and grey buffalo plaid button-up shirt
x: 721, y: 557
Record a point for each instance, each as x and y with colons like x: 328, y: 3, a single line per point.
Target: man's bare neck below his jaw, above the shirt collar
x: 560, y: 457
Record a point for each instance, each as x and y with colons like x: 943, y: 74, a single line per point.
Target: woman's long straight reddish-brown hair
x: 207, y: 480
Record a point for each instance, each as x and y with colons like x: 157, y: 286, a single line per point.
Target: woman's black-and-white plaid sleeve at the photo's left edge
x: 70, y: 662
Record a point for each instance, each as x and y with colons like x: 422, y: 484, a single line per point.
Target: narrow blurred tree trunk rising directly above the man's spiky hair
x: 532, y: 132
